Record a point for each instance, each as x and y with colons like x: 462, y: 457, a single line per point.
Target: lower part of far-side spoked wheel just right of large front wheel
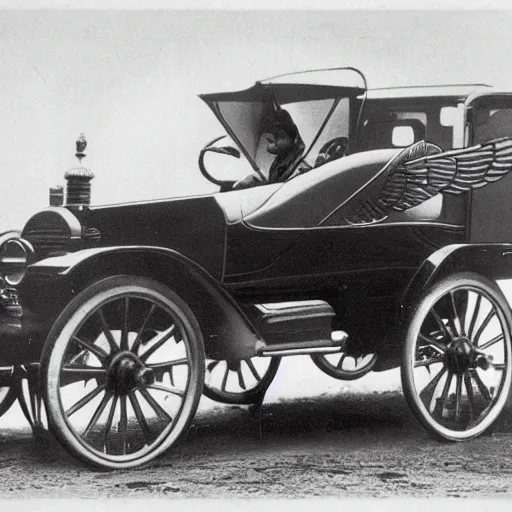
x: 240, y: 382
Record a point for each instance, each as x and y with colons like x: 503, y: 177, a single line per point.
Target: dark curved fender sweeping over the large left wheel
x: 227, y: 331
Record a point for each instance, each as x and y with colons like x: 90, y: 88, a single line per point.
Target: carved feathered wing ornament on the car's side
x: 423, y: 170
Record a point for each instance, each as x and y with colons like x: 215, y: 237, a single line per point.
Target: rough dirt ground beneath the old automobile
x: 354, y: 443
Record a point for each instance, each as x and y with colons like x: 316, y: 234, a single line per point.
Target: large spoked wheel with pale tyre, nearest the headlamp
x: 123, y: 371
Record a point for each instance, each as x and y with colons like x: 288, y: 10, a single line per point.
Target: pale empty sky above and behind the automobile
x: 129, y: 81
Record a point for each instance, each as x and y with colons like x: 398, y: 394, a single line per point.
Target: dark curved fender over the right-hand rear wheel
x: 491, y: 260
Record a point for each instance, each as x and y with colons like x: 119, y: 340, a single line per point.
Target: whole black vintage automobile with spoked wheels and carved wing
x: 382, y: 249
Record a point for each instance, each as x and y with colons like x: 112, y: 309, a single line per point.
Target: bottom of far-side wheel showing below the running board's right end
x: 344, y: 366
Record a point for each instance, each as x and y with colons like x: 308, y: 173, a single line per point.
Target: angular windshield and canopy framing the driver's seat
x: 321, y: 106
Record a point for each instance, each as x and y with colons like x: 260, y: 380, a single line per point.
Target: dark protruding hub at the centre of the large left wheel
x: 127, y: 373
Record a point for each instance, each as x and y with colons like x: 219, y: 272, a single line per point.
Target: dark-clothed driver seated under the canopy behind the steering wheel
x: 288, y: 147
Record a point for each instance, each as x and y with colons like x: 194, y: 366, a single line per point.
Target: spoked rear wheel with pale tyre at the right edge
x: 456, y: 368
